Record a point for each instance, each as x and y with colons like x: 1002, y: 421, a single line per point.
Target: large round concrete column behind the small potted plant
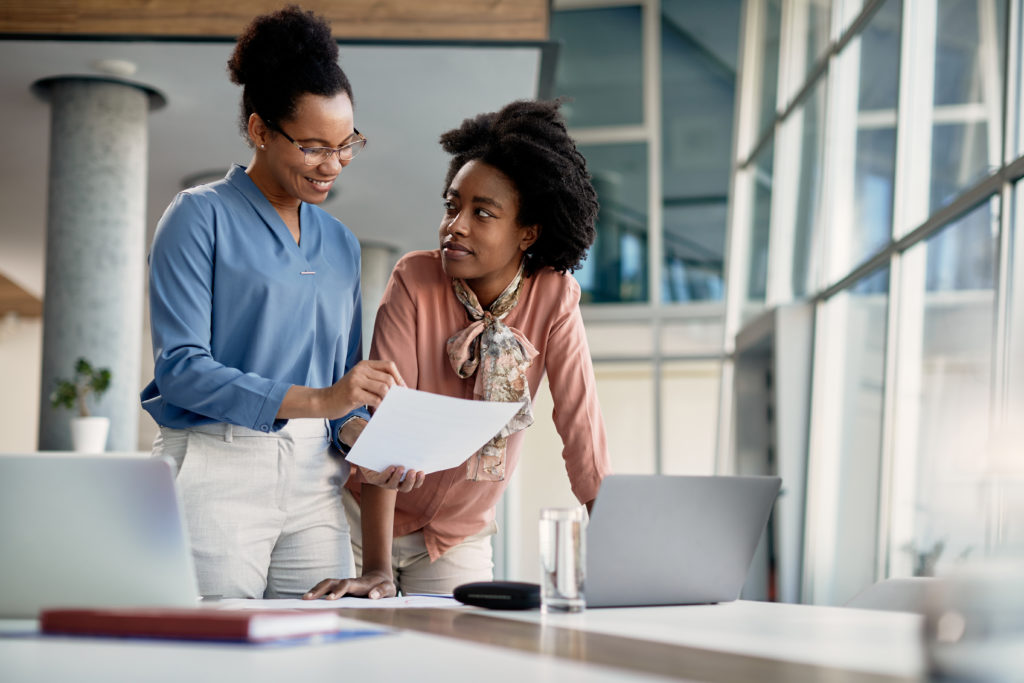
x: 96, y: 258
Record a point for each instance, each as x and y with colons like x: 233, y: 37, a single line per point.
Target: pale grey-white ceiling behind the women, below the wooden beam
x: 406, y: 96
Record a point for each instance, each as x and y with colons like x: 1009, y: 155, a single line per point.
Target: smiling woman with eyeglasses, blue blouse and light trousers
x: 257, y: 317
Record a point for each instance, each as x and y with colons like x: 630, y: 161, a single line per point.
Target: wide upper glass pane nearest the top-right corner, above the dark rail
x: 968, y: 104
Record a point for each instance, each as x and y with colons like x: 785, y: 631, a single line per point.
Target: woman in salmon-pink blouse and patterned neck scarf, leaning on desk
x: 485, y: 318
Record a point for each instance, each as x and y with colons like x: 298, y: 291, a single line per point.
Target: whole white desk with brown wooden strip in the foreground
x: 728, y: 643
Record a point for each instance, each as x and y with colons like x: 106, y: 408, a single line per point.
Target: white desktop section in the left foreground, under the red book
x: 405, y: 657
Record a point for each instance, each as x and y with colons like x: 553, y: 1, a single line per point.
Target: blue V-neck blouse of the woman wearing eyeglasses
x: 241, y: 313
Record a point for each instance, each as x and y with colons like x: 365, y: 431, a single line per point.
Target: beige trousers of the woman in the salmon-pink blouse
x: 472, y: 561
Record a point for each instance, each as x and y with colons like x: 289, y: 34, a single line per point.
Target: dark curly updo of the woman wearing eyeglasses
x: 282, y: 57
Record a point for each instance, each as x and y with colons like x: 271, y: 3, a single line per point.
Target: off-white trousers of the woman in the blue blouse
x: 265, y: 516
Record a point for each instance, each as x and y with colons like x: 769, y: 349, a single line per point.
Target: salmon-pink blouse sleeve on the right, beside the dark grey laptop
x: 577, y: 413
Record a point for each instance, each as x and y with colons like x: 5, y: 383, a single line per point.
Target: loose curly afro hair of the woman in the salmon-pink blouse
x: 529, y: 143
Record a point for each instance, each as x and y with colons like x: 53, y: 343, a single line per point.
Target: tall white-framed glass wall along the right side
x: 877, y: 159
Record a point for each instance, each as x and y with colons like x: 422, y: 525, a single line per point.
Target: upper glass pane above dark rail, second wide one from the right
x: 867, y: 91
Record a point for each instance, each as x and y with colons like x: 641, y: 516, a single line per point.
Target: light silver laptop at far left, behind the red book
x: 92, y: 531
